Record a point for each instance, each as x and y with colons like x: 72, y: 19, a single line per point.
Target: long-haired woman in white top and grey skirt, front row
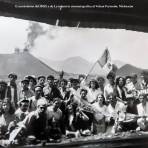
x: 99, y: 125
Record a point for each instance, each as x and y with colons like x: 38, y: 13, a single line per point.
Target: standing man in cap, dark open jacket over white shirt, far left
x: 12, y: 89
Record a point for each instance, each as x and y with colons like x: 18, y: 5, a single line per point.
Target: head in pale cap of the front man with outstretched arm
x: 41, y: 106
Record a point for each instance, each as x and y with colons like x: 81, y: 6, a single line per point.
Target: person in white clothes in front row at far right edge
x: 143, y: 112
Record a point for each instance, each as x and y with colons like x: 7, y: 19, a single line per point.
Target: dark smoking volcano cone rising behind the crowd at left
x: 23, y: 64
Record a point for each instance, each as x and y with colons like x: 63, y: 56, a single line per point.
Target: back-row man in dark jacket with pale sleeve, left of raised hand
x: 52, y: 89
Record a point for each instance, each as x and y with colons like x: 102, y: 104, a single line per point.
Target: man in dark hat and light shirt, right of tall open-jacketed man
x: 25, y: 92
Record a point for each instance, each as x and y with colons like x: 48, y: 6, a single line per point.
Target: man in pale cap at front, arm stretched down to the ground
x: 34, y: 124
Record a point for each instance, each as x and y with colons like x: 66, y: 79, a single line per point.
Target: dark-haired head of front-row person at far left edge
x: 7, y: 106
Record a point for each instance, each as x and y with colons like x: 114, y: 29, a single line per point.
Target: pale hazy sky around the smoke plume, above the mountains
x: 62, y: 42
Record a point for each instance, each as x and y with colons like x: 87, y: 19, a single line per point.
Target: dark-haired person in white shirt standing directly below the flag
x: 110, y: 86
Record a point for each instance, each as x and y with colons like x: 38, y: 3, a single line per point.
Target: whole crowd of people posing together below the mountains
x: 49, y: 108
